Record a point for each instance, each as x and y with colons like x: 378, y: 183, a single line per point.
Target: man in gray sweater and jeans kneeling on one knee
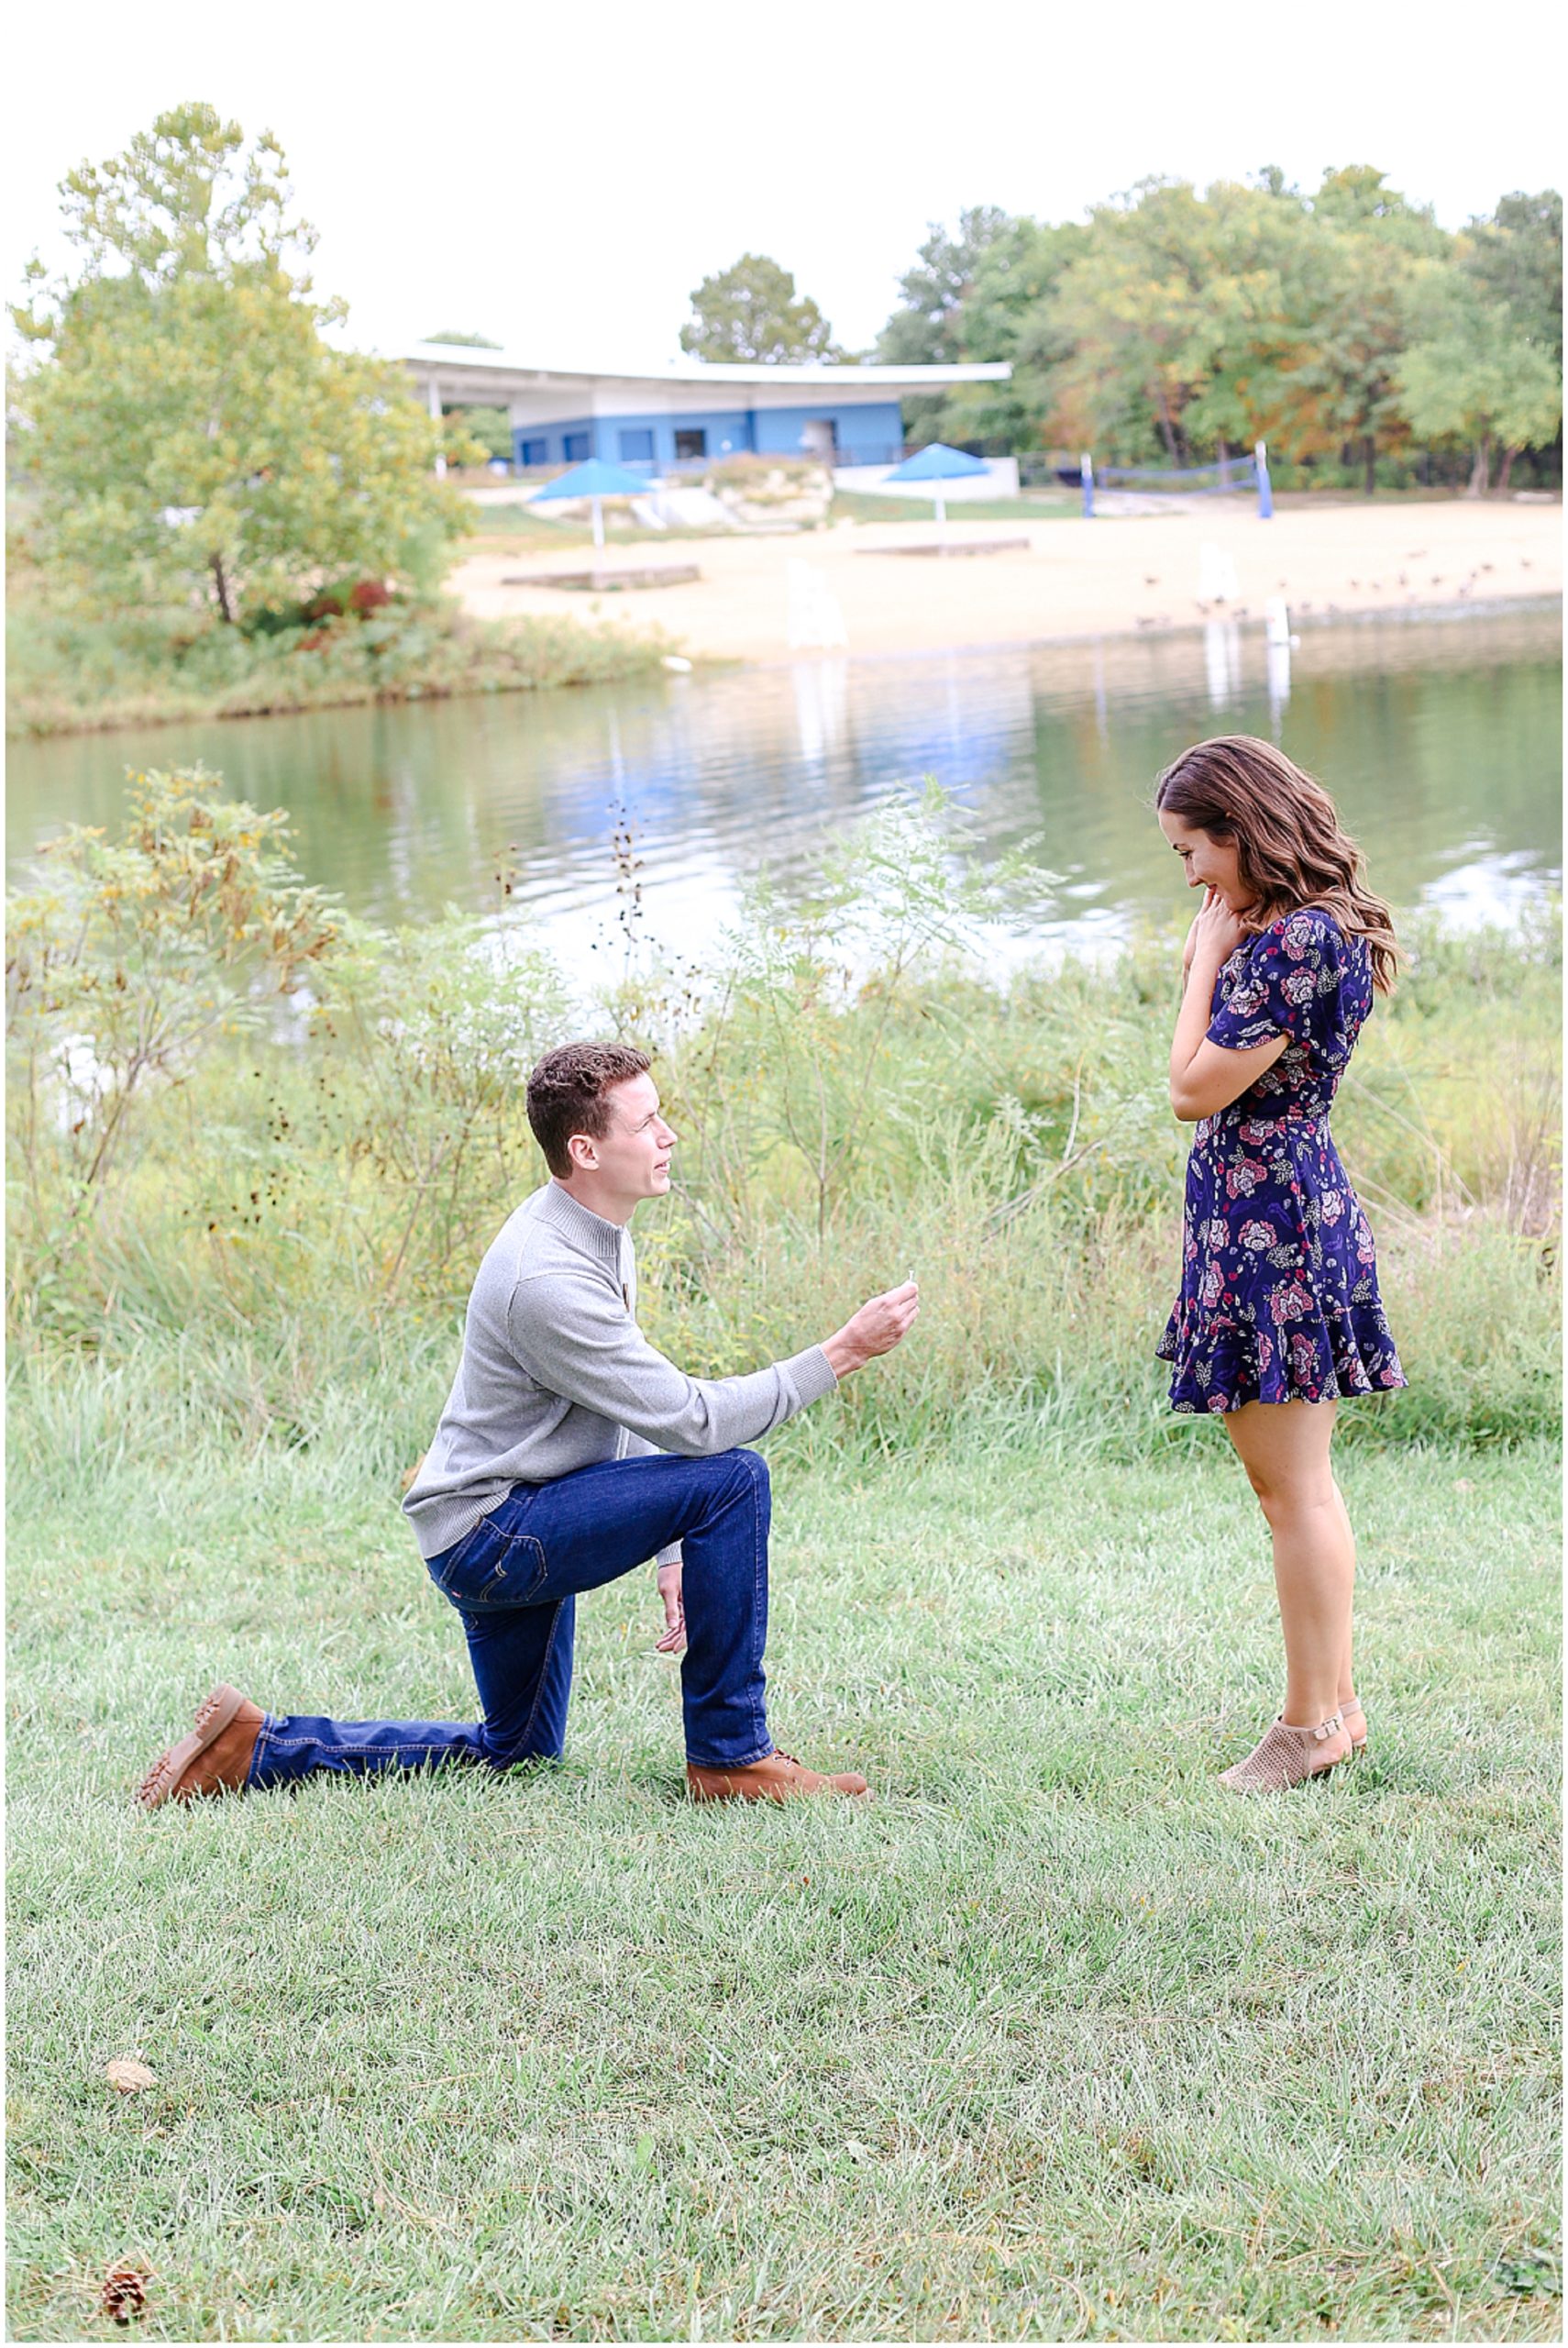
x: 572, y: 1452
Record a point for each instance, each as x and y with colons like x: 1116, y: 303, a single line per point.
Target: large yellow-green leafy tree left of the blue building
x: 191, y: 431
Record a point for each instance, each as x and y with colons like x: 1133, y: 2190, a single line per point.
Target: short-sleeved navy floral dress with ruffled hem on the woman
x: 1278, y: 1271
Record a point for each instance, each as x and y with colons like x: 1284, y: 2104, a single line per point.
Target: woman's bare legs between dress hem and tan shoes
x: 1285, y: 1450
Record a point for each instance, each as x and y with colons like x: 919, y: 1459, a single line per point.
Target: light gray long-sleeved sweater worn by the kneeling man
x: 555, y: 1375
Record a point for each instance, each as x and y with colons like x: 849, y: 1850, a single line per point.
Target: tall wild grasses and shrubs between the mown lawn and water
x: 252, y: 1138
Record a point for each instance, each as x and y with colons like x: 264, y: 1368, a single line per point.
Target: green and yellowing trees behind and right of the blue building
x: 1346, y: 328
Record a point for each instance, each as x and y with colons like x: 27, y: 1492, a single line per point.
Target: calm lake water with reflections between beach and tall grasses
x: 1440, y: 741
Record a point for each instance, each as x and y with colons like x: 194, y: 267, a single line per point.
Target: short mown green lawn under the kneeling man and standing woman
x: 1055, y: 2039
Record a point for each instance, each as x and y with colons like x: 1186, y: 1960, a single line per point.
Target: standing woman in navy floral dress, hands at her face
x: 1280, y: 1309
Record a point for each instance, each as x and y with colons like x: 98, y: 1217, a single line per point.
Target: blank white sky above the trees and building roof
x: 562, y: 177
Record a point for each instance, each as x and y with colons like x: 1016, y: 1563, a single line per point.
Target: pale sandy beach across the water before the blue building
x: 1118, y: 576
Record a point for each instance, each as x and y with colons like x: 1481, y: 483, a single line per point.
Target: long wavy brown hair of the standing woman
x: 1287, y: 837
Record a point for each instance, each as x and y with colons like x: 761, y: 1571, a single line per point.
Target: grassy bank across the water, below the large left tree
x: 69, y: 673
